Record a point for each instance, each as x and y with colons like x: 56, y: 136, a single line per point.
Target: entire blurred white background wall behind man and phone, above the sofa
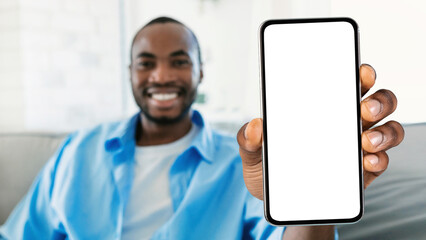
x: 63, y: 63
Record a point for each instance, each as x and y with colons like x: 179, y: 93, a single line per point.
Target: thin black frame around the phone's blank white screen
x: 268, y: 216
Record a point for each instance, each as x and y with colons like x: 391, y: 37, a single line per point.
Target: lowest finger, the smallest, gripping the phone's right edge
x: 374, y: 165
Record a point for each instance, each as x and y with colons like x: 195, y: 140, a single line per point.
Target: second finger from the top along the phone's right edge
x: 376, y: 107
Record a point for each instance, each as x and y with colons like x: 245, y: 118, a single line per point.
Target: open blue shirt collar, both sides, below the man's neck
x: 124, y: 136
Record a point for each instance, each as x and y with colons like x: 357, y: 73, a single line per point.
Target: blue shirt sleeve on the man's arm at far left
x: 34, y: 217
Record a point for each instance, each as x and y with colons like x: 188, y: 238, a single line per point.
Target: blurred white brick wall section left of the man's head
x: 60, y: 64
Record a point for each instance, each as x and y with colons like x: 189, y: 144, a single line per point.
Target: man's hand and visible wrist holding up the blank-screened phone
x: 375, y: 142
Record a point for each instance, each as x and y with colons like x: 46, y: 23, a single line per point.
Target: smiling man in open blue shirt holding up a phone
x: 164, y: 174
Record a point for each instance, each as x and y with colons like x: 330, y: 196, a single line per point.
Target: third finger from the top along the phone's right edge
x: 383, y: 137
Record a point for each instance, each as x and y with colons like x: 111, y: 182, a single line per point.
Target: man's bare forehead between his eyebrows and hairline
x: 163, y: 37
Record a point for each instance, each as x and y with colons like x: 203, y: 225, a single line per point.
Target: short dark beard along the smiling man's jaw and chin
x: 189, y: 97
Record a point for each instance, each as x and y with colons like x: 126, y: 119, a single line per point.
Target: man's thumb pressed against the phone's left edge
x: 250, y: 140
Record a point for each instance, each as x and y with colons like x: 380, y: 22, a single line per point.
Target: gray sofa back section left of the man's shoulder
x: 22, y: 155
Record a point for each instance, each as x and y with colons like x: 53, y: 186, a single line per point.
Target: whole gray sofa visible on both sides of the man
x: 395, y: 204
